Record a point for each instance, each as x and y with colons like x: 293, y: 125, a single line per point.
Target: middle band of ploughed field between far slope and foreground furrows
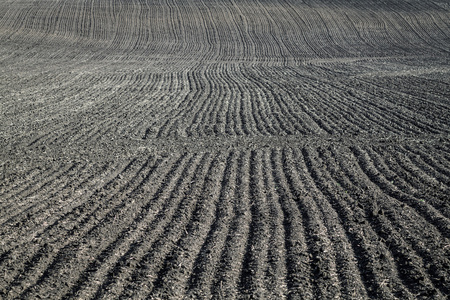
x: 222, y: 100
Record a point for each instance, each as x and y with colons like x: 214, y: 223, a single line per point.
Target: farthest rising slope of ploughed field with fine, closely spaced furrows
x: 263, y: 31
